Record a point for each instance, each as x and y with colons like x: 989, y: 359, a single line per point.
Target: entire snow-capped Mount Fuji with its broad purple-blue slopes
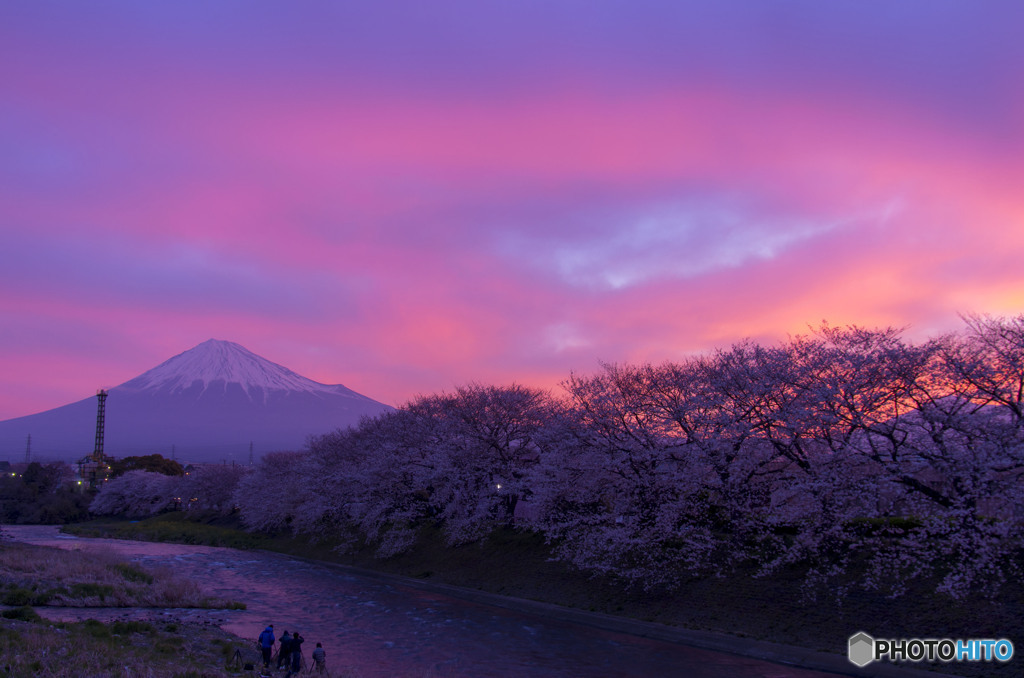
x: 214, y: 403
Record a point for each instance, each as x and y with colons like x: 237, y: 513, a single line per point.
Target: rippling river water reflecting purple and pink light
x: 372, y: 629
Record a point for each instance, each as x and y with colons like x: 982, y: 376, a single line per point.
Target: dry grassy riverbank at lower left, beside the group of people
x: 37, y: 577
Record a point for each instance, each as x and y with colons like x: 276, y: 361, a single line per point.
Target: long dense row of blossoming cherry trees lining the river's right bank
x: 858, y: 457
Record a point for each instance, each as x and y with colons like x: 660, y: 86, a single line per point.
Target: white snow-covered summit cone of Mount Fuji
x: 227, y: 362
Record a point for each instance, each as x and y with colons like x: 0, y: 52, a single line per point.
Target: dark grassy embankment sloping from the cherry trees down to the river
x: 742, y: 607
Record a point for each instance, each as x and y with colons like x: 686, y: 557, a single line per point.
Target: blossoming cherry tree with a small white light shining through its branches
x: 456, y: 459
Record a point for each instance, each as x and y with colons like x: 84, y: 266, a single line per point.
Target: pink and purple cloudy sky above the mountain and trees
x: 407, y: 197
